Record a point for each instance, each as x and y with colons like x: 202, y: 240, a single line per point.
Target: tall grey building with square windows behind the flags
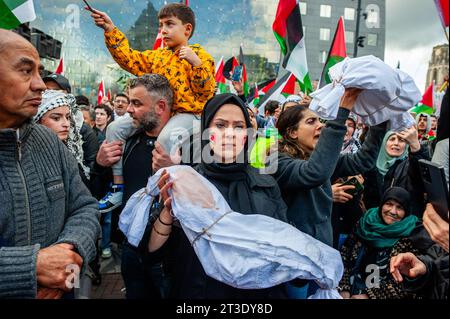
x: 320, y: 18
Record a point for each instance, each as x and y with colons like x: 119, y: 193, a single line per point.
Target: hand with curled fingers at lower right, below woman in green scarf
x: 406, y: 264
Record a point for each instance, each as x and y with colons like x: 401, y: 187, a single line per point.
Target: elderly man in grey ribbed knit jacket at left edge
x: 48, y: 219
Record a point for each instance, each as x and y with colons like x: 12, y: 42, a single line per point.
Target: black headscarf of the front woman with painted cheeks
x: 232, y: 180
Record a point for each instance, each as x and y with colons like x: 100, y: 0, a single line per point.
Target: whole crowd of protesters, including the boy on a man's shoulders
x: 352, y: 187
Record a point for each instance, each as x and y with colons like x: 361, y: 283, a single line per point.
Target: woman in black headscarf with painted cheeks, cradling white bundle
x: 225, y: 124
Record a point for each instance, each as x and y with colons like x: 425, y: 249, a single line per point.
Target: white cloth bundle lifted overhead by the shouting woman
x: 387, y: 93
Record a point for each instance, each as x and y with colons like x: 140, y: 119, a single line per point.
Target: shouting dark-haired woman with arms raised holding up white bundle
x: 310, y: 159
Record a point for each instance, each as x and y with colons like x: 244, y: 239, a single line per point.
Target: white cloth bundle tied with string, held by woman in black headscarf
x: 243, y: 251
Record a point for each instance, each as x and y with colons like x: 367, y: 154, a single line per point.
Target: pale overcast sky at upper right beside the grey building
x: 413, y: 28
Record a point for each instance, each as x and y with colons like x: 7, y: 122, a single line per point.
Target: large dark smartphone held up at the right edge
x: 433, y: 177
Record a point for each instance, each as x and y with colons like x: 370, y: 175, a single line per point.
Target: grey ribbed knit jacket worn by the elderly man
x: 42, y: 202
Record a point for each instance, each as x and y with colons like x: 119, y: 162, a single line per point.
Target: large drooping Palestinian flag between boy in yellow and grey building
x: 288, y: 31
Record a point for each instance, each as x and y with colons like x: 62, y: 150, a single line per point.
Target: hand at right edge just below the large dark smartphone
x: 436, y: 227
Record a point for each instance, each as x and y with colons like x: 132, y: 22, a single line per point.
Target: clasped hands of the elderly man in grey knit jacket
x: 51, y: 265
